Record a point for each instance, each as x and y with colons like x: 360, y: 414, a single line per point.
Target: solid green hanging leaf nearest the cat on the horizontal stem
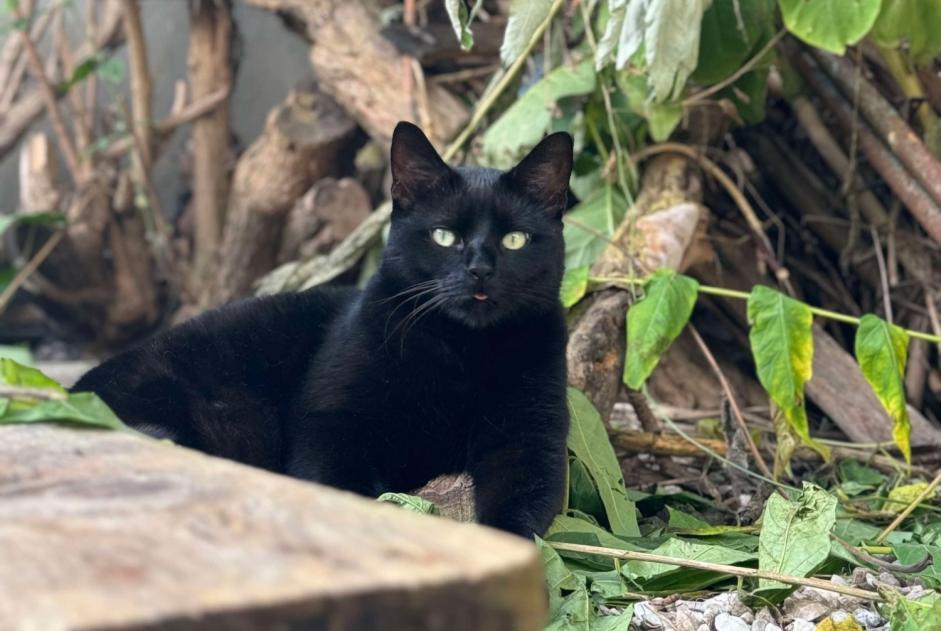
x: 655, y: 321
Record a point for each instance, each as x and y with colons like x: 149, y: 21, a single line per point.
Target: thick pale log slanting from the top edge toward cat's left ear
x: 363, y: 71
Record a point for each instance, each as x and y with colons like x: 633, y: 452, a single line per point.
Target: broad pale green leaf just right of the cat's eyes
x: 590, y: 225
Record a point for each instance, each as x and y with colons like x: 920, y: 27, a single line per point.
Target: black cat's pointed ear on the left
x: 417, y: 169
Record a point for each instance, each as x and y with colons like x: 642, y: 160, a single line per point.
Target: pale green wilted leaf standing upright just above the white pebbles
x: 795, y: 534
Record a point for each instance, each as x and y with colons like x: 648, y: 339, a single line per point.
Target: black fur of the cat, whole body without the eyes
x: 383, y: 389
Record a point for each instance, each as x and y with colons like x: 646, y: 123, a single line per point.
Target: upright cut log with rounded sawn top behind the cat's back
x: 301, y: 143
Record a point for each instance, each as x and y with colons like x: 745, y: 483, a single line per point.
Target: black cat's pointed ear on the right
x: 544, y: 174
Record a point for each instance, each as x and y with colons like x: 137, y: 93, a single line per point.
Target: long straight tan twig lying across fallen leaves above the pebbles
x: 734, y: 570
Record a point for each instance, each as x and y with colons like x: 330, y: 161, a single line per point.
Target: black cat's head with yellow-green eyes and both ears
x: 479, y: 245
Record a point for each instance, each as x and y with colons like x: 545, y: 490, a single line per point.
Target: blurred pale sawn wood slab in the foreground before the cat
x: 104, y: 530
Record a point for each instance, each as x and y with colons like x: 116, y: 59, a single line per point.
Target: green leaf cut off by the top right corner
x: 916, y: 23
